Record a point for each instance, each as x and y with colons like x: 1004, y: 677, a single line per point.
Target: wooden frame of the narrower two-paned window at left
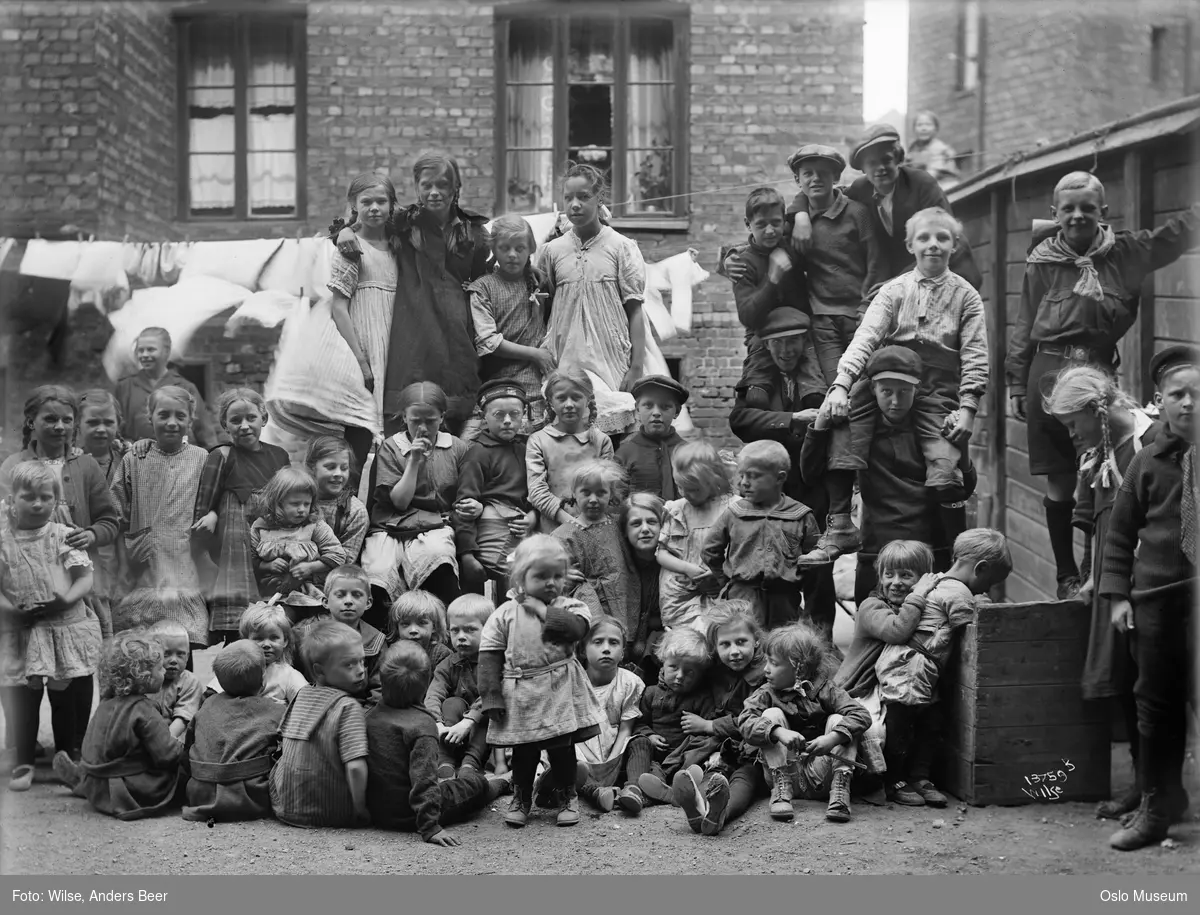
x: 297, y: 19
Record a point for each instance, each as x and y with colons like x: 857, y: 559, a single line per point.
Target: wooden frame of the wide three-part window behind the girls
x: 561, y: 13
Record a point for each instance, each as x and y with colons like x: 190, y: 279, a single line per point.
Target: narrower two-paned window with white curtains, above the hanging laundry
x: 242, y: 106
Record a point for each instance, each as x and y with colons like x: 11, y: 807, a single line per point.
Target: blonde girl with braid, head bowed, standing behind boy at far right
x: 1108, y: 423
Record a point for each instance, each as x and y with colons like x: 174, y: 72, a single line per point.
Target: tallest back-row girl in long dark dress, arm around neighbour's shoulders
x: 439, y: 249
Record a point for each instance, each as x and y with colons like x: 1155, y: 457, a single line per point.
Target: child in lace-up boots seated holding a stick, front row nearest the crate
x: 805, y: 727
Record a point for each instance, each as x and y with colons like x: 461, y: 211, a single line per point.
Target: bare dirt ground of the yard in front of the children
x: 46, y: 832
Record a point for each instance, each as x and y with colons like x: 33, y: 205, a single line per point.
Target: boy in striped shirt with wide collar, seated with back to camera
x: 322, y: 776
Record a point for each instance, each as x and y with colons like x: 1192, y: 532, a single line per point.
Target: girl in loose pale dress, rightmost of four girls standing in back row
x: 598, y: 279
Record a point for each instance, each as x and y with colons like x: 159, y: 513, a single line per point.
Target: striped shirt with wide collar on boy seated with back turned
x: 323, y: 731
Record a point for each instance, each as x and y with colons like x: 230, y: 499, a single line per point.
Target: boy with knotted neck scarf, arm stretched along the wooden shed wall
x: 1079, y: 298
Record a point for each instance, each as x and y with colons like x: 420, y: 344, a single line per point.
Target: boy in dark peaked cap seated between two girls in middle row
x: 494, y: 479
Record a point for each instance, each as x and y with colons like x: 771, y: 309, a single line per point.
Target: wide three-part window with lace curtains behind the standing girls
x: 598, y: 85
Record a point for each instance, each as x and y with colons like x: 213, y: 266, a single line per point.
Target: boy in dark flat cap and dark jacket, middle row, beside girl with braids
x: 646, y: 454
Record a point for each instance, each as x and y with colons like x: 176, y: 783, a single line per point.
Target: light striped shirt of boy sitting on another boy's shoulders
x: 944, y: 314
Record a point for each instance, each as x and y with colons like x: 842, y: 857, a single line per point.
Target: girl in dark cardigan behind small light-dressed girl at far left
x: 49, y: 435
